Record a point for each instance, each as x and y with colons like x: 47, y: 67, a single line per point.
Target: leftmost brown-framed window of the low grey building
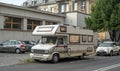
x: 12, y: 23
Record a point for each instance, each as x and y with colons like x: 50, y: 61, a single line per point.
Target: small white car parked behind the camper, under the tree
x: 108, y: 48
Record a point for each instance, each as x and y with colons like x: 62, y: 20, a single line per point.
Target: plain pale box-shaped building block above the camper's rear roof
x: 76, y: 19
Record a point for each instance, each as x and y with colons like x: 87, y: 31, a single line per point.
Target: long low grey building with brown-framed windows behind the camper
x: 18, y: 23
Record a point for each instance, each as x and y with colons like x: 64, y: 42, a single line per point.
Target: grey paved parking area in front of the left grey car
x: 12, y: 58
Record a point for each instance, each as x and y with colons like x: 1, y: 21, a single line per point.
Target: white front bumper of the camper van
x: 41, y: 57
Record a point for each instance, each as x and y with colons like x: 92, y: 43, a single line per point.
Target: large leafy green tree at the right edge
x: 105, y: 16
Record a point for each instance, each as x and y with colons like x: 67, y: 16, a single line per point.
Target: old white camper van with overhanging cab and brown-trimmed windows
x: 61, y: 41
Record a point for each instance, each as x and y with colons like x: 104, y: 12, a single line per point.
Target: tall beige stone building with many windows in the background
x: 62, y: 6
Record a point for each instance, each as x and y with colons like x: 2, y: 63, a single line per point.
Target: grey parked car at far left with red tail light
x: 13, y: 46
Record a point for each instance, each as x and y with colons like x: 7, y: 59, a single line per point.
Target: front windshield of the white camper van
x: 48, y: 40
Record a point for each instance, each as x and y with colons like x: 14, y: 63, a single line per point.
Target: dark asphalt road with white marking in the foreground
x: 96, y: 63
